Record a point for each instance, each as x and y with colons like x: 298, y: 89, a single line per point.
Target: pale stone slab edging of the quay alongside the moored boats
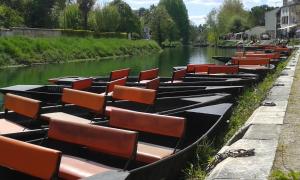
x: 261, y: 132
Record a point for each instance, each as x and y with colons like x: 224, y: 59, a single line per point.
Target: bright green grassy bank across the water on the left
x: 25, y: 50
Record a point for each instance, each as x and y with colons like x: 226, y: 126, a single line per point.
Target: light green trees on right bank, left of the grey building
x: 230, y: 18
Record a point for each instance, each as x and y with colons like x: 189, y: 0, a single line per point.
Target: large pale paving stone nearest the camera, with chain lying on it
x: 253, y: 167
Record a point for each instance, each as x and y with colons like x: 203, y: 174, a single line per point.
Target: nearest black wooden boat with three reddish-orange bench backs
x: 200, y: 123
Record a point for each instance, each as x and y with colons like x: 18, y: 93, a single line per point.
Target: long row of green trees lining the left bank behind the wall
x: 168, y: 21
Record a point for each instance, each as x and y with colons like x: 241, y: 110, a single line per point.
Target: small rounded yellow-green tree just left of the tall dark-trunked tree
x: 70, y: 18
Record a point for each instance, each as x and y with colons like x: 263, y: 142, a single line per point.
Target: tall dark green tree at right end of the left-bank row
x: 177, y: 10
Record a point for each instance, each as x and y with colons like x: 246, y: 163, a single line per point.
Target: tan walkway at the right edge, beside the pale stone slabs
x: 288, y: 151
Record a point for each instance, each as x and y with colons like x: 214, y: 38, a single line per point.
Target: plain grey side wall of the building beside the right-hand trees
x: 272, y: 22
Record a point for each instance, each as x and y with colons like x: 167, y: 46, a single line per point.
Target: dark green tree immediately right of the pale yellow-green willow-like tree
x: 129, y: 21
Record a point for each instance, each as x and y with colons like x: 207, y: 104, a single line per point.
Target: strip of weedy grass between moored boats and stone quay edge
x: 247, y: 103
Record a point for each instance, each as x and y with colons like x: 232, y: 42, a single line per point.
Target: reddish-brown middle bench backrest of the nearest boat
x: 121, y: 143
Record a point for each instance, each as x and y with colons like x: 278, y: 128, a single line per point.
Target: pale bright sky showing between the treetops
x: 198, y: 9
